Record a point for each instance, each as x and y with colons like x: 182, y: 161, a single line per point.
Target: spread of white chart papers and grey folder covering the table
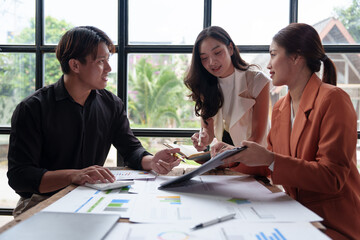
x: 170, y: 213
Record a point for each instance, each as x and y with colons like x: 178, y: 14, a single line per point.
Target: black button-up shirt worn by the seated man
x: 50, y: 131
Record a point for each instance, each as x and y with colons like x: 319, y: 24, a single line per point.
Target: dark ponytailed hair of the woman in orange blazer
x: 303, y: 39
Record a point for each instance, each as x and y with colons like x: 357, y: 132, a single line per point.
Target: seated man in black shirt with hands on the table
x: 62, y: 133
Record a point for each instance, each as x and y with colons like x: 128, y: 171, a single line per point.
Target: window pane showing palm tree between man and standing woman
x: 157, y: 96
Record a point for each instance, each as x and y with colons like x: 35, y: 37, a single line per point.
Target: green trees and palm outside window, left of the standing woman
x: 157, y: 96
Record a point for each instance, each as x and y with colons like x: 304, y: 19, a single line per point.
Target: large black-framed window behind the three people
x: 154, y: 41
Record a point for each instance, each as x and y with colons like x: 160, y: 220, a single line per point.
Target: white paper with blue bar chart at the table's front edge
x: 229, y: 230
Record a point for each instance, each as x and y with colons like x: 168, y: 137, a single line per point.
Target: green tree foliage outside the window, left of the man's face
x: 17, y: 70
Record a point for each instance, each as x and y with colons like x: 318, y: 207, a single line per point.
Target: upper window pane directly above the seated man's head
x: 60, y: 17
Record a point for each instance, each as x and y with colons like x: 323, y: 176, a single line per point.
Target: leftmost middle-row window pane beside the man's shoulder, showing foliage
x: 17, y: 81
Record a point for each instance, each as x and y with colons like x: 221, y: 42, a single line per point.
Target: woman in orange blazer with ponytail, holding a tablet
x: 312, y: 141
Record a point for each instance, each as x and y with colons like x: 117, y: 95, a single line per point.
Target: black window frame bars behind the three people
x: 124, y: 49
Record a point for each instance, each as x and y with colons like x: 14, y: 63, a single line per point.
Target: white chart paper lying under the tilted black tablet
x: 206, y: 197
